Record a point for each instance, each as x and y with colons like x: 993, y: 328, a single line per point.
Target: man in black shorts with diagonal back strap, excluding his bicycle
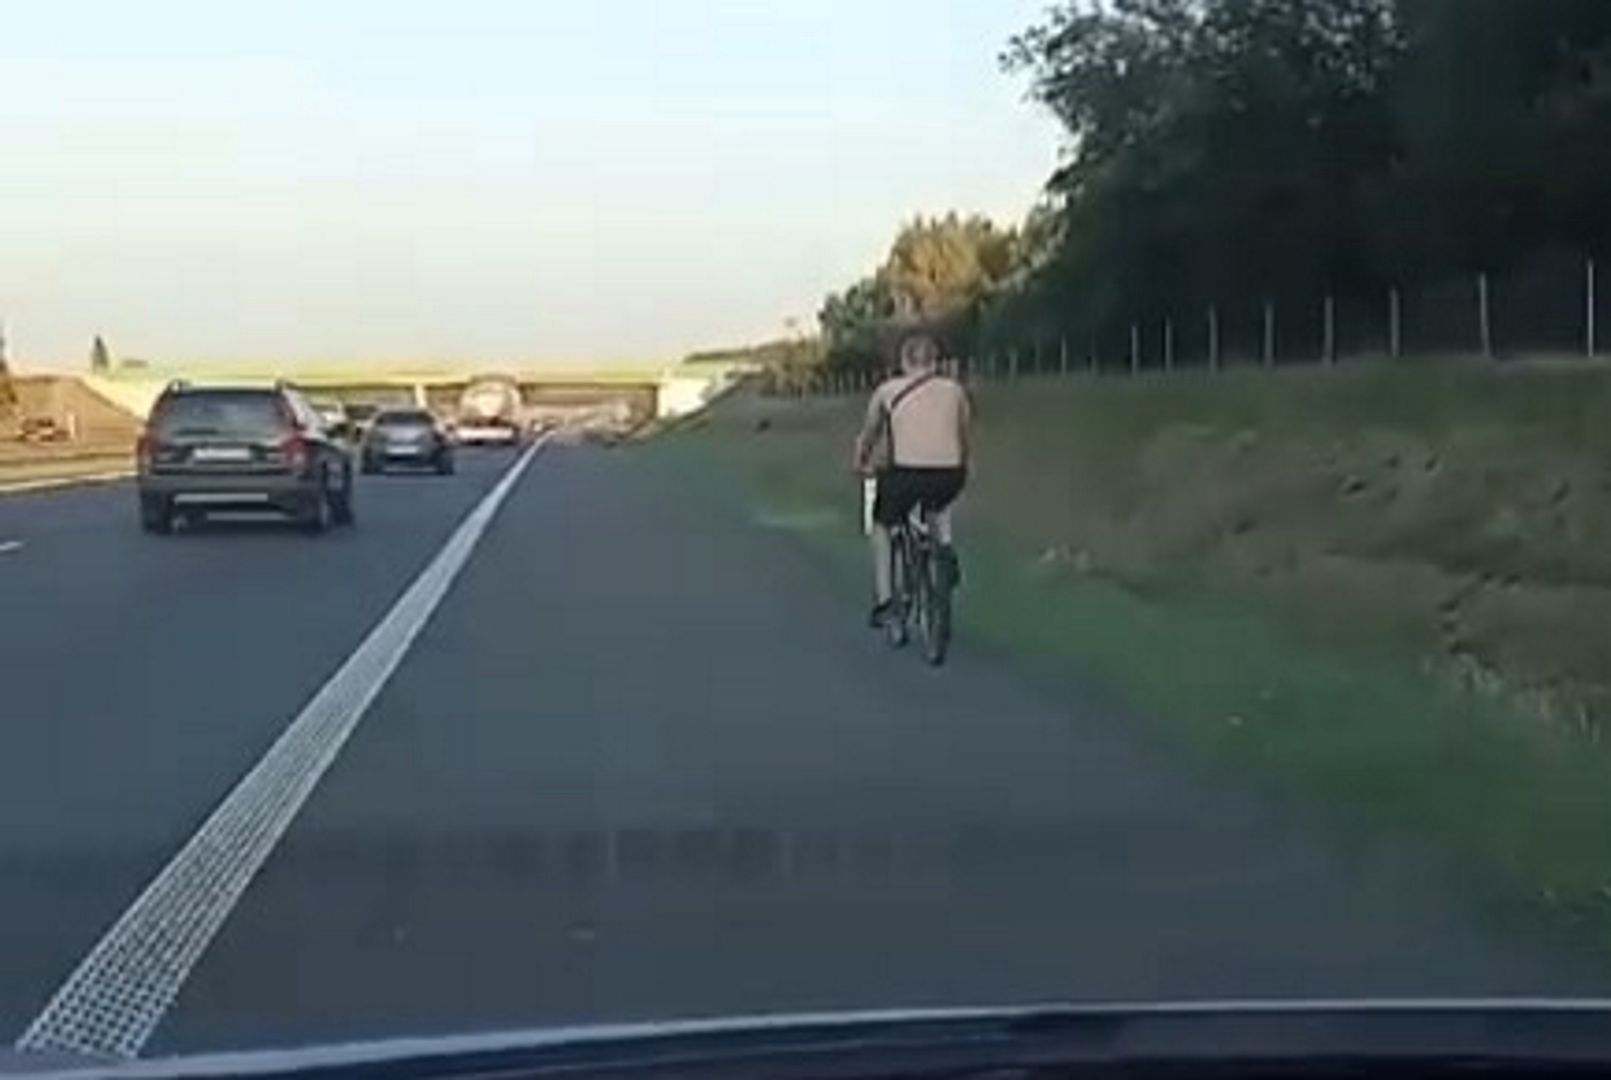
x: 916, y: 444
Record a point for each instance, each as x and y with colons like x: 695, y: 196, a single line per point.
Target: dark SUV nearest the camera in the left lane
x: 241, y: 449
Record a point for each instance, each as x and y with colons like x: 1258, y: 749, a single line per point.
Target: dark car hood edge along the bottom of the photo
x: 917, y: 1042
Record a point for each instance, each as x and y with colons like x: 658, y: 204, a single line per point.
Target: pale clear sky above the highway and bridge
x: 524, y: 181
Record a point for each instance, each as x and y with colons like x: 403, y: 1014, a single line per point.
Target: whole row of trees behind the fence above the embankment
x: 1230, y: 152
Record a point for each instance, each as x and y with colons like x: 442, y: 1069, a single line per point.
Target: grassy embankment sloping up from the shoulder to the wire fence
x: 1386, y: 589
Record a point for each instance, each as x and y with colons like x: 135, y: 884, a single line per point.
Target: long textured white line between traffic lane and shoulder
x: 118, y: 994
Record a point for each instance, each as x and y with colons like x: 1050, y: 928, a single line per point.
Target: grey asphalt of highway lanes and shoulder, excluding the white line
x: 639, y: 763
